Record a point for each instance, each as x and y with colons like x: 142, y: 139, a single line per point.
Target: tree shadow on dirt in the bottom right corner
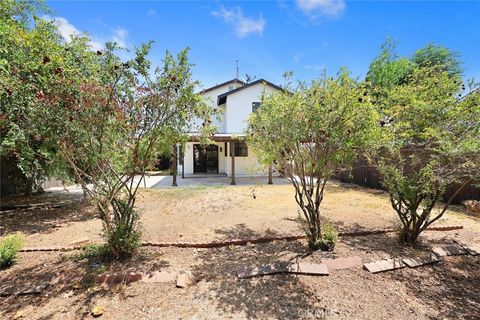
x: 451, y: 286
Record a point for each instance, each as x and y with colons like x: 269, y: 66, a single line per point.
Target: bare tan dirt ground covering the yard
x: 448, y: 290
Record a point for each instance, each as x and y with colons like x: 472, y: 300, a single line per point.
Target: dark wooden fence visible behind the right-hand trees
x: 368, y: 176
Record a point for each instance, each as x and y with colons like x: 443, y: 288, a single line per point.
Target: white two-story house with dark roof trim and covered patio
x: 229, y: 154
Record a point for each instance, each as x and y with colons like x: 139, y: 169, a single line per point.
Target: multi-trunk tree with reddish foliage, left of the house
x: 111, y: 122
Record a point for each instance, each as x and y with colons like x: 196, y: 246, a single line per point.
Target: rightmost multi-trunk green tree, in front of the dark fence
x: 431, y: 141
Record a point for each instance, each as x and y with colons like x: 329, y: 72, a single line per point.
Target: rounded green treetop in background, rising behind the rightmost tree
x: 441, y: 57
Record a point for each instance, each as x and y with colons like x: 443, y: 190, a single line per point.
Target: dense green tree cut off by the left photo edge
x: 30, y: 58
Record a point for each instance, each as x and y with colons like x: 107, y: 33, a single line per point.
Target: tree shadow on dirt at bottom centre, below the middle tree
x: 278, y: 296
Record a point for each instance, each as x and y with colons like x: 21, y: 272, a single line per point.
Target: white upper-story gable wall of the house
x: 239, y: 106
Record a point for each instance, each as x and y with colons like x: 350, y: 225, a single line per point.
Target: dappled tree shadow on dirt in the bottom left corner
x: 68, y: 280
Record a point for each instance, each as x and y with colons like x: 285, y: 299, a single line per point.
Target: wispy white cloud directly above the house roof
x: 243, y: 25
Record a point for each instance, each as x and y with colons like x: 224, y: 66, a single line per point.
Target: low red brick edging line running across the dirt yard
x: 239, y: 242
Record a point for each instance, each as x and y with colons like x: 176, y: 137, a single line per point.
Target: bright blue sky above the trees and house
x: 270, y: 37
